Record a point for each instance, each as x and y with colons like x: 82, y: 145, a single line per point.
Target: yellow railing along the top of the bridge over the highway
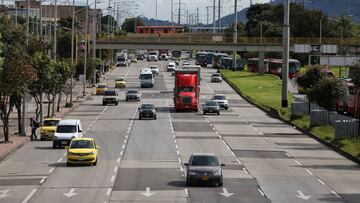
x: 211, y: 39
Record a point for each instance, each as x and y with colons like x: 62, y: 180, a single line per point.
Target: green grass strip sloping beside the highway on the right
x: 265, y: 91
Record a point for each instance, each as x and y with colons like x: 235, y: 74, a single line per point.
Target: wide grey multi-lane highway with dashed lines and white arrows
x: 142, y: 160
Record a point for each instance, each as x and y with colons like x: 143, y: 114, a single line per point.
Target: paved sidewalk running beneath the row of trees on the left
x: 17, y: 141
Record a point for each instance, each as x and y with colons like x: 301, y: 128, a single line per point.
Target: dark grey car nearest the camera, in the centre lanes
x: 204, y: 168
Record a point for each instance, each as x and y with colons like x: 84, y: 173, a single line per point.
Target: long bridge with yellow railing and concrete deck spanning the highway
x: 210, y: 42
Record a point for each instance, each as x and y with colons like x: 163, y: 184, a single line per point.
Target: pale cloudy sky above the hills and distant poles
x: 147, y: 8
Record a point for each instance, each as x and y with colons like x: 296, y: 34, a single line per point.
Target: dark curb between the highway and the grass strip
x: 302, y: 130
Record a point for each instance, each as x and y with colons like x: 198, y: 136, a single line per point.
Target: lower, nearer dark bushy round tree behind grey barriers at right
x: 327, y: 92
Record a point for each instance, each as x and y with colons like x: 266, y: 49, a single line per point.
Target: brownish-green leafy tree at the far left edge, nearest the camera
x: 16, y: 71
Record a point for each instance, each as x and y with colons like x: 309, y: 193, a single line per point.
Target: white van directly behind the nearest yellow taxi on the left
x: 66, y: 131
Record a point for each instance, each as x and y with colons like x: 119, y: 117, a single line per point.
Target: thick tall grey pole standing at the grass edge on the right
x: 285, y: 66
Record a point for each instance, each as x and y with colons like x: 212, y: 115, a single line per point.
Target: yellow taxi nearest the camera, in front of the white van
x: 82, y: 151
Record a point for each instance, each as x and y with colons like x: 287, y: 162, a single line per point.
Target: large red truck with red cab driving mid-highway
x: 187, y: 90
